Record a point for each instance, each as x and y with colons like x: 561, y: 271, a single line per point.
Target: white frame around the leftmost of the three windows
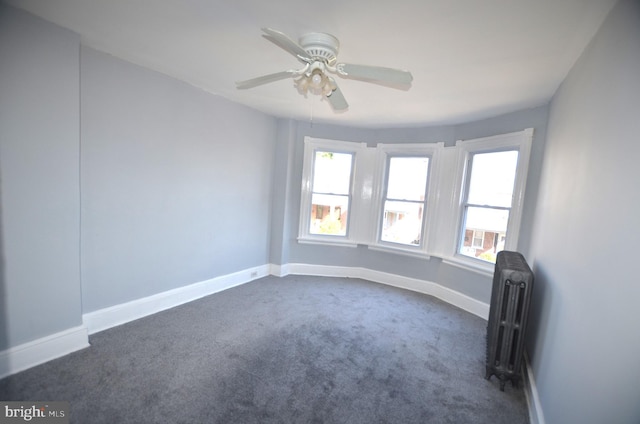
x: 358, y: 150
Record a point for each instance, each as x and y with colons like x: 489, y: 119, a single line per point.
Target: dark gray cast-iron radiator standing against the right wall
x: 510, y: 299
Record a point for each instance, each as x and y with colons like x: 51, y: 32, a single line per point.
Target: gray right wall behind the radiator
x: 585, y: 338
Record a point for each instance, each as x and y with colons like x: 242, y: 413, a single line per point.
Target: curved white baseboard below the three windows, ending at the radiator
x: 452, y: 297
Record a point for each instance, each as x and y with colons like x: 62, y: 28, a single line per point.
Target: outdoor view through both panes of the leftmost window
x: 330, y: 193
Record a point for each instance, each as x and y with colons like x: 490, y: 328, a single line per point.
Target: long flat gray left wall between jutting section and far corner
x: 176, y: 183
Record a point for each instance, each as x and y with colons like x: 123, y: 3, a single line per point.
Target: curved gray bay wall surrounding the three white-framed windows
x: 290, y: 142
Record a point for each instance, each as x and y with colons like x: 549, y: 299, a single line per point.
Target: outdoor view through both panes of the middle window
x: 404, y: 200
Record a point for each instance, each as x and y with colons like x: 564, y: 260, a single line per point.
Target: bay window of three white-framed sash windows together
x: 461, y: 203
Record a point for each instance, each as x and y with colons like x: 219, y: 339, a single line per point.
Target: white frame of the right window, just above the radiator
x: 520, y: 141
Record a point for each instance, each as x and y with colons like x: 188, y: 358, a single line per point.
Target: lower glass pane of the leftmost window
x: 329, y: 214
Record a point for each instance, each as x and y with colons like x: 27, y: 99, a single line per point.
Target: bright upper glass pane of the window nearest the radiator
x: 492, y: 178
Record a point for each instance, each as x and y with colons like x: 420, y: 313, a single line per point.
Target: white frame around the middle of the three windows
x: 383, y: 153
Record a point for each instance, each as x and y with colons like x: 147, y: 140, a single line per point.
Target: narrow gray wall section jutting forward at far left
x: 39, y: 178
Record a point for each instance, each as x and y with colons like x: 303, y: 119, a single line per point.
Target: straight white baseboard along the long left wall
x: 125, y: 312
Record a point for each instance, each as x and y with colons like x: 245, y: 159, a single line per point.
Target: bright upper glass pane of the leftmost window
x: 332, y: 172
